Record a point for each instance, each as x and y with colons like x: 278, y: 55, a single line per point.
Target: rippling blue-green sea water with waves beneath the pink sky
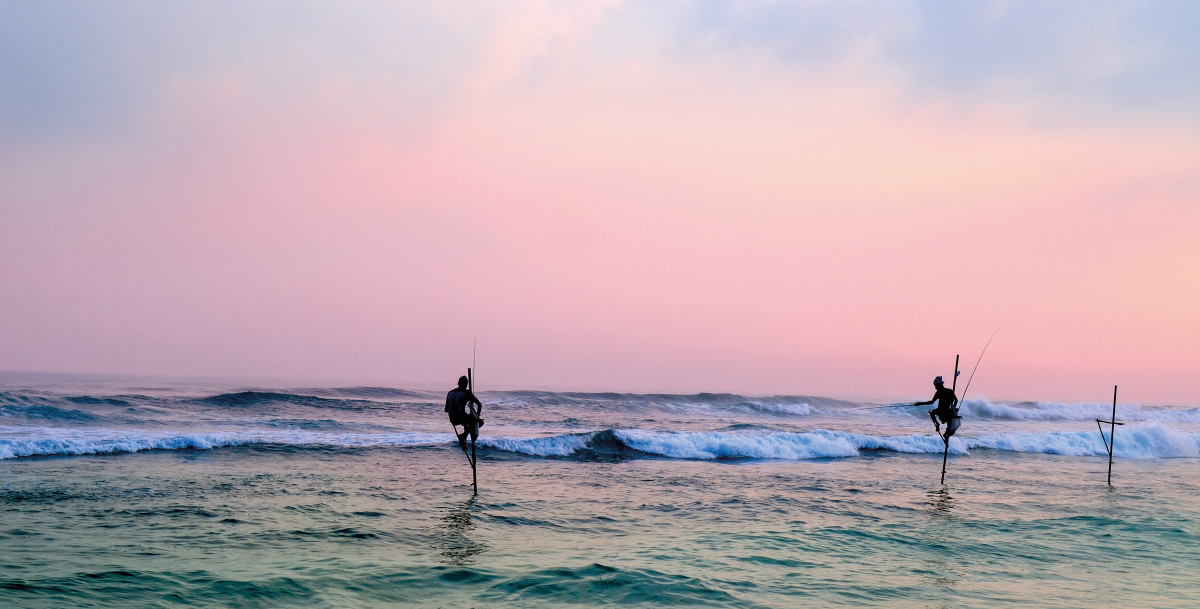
x: 149, y: 493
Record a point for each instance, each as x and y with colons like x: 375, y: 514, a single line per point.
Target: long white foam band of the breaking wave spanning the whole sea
x: 1142, y: 442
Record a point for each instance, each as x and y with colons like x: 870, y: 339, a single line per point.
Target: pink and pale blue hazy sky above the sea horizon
x: 811, y: 197
